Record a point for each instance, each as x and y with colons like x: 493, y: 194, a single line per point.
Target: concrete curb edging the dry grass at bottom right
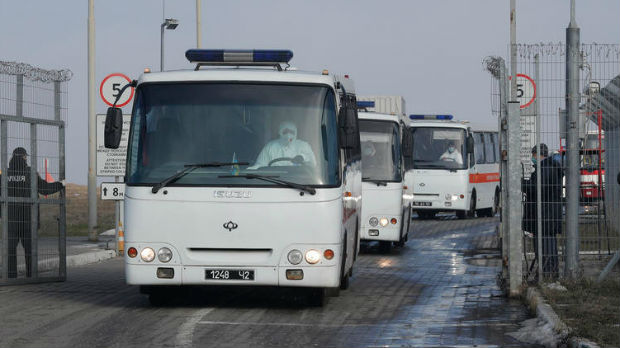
x: 546, y: 314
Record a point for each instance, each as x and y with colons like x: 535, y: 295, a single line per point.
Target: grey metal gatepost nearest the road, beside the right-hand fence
x: 515, y: 234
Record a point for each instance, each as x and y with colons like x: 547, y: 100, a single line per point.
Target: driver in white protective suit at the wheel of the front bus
x: 284, y: 149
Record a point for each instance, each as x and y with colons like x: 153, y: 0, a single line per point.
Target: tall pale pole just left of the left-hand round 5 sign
x: 92, y: 127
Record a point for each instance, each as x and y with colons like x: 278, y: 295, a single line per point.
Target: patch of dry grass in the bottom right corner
x: 590, y: 309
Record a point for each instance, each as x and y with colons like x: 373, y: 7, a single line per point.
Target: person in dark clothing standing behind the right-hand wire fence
x: 551, y: 203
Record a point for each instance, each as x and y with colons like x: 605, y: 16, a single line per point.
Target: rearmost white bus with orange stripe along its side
x: 453, y: 167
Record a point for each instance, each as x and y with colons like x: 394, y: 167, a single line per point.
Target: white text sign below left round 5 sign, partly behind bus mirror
x: 111, y: 162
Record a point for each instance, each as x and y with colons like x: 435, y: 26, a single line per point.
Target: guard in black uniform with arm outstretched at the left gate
x: 20, y: 213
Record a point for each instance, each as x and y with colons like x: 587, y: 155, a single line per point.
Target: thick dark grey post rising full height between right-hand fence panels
x: 573, y: 61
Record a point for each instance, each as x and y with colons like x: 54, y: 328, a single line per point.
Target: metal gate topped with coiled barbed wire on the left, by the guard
x: 33, y: 113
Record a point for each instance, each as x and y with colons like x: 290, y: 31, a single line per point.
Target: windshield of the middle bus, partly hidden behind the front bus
x: 380, y: 151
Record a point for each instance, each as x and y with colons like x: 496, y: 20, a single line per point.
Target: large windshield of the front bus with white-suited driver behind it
x: 282, y: 131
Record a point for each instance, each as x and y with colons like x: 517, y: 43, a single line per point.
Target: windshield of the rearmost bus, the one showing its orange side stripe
x: 439, y: 148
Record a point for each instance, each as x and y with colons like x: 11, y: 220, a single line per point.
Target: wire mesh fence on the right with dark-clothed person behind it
x: 541, y: 90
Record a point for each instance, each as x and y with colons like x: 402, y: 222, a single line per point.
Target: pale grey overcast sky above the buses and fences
x: 429, y: 51
